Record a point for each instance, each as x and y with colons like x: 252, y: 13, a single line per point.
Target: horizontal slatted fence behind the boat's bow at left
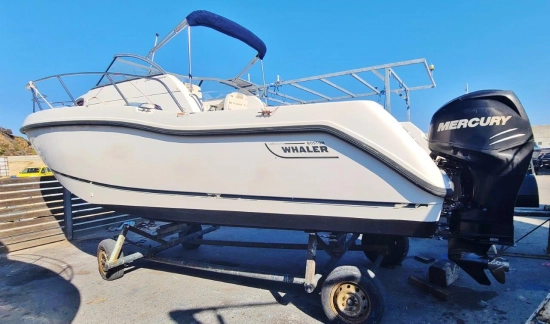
x: 37, y: 211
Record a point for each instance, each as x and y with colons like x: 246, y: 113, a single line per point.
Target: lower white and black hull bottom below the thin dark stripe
x: 262, y: 212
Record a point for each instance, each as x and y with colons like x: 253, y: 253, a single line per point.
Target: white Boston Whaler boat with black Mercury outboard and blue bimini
x: 154, y: 145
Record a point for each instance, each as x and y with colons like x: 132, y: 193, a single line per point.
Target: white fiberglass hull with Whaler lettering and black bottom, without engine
x: 326, y: 167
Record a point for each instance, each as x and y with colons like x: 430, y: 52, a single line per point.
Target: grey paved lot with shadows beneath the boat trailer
x: 59, y: 283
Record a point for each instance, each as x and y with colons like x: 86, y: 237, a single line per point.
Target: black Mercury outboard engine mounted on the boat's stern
x: 484, y: 142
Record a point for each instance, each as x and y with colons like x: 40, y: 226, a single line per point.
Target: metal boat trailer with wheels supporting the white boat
x: 348, y: 293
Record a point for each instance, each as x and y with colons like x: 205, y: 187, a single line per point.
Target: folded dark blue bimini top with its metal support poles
x: 221, y: 24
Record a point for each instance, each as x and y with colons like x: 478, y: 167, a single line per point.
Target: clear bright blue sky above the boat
x: 487, y: 44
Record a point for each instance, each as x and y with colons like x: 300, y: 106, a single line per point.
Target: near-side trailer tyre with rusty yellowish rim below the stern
x: 351, y: 296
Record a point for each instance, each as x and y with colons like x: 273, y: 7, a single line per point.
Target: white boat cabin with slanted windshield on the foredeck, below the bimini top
x: 156, y: 88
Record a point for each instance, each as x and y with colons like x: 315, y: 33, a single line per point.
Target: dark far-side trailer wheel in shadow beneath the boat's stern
x: 398, y: 248
